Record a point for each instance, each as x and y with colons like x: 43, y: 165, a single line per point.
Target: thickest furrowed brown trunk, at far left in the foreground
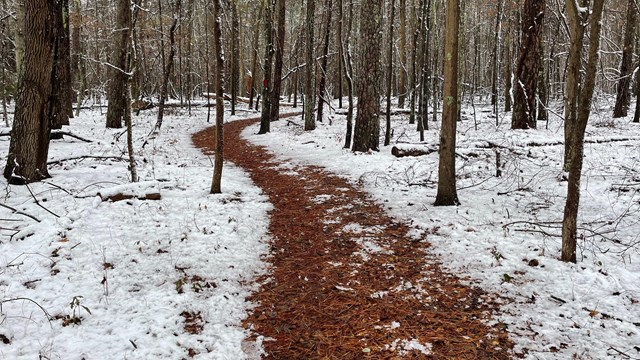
x: 29, y: 145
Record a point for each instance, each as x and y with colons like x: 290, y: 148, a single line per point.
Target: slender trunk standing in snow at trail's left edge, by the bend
x: 217, y: 44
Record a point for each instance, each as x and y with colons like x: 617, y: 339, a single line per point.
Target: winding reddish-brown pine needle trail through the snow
x: 347, y: 281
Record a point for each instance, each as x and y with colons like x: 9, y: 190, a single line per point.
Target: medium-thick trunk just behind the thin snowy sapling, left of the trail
x: 117, y: 86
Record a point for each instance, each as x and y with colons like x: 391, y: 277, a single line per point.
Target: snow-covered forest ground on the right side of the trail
x: 505, y: 235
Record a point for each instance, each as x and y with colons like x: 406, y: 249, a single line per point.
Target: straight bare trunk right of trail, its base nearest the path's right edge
x: 447, y: 194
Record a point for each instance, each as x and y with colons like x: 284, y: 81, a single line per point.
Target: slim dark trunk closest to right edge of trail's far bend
x: 267, y: 69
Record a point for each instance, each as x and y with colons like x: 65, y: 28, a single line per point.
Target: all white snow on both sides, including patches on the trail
x: 125, y: 277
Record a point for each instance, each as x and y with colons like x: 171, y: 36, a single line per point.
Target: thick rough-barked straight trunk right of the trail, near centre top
x: 367, y: 129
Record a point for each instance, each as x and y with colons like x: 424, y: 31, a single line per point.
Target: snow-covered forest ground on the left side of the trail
x: 132, y: 279
